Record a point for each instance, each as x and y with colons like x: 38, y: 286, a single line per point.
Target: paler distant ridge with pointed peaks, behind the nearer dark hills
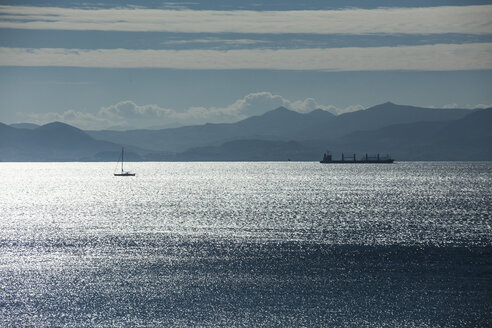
x: 278, y: 125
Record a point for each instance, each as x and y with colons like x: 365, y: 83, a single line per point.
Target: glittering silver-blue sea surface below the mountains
x: 259, y: 244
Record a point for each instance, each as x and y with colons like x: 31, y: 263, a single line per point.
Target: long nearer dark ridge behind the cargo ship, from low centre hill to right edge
x: 468, y: 138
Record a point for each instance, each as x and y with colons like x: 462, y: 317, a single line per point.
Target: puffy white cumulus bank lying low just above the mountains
x: 127, y: 114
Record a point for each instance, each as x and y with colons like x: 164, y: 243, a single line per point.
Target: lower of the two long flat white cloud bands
x: 439, y: 57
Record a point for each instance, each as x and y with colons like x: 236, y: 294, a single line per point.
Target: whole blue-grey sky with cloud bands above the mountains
x: 155, y: 64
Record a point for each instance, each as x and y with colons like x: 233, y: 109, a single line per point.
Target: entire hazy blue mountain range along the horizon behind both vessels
x: 406, y: 132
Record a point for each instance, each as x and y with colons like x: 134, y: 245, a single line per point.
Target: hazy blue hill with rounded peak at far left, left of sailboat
x: 52, y: 142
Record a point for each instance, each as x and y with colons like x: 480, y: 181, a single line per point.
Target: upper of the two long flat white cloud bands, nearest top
x: 445, y: 19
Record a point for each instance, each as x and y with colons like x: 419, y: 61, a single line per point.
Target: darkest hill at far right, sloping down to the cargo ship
x: 468, y: 138
